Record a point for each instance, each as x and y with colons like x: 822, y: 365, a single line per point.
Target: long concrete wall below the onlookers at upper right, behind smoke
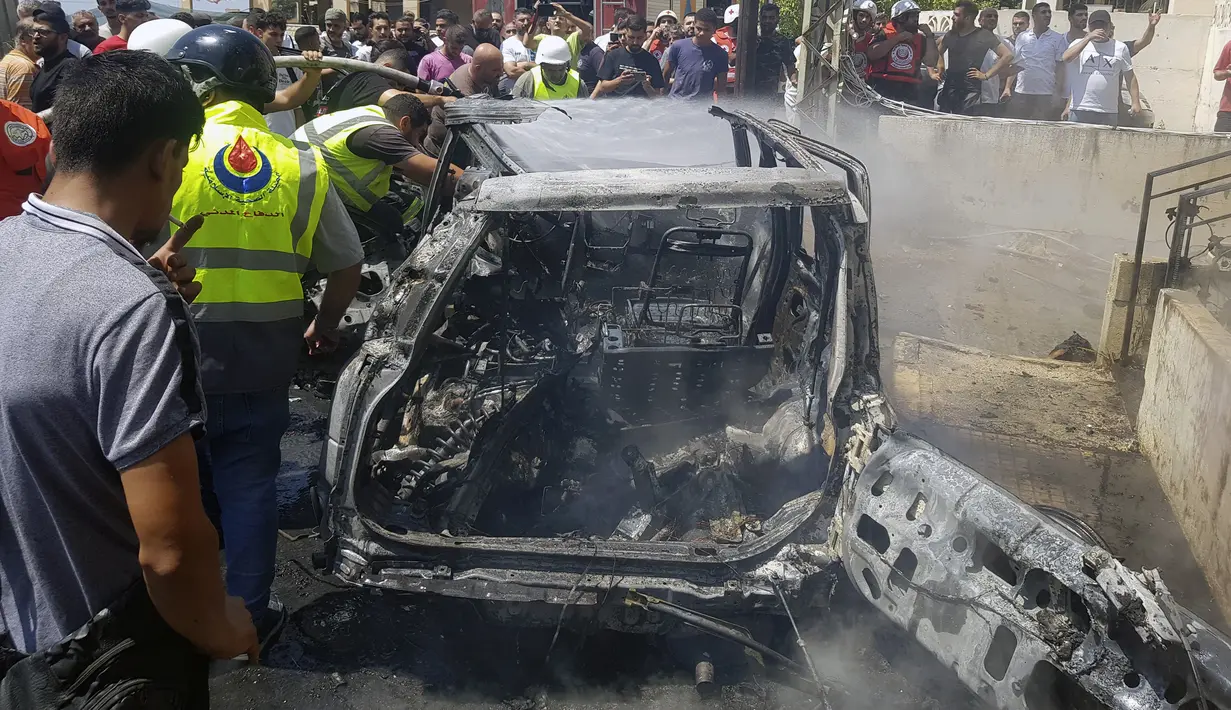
x: 1040, y: 175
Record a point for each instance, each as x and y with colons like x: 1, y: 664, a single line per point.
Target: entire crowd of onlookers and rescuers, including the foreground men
x: 145, y: 431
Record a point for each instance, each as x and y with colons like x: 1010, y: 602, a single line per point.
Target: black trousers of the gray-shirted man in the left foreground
x: 125, y: 659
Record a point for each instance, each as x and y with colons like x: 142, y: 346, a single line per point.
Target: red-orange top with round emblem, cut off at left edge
x: 25, y: 143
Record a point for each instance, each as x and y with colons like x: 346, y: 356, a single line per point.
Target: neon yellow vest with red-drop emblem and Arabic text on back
x: 263, y: 196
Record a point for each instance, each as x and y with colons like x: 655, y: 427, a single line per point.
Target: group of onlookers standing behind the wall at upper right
x: 1035, y: 73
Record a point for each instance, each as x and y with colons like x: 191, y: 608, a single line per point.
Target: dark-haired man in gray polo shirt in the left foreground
x: 103, y: 535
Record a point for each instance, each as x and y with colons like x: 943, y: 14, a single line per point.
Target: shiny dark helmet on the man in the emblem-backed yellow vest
x: 236, y: 57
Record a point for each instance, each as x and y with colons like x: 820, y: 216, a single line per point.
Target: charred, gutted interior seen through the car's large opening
x: 599, y: 376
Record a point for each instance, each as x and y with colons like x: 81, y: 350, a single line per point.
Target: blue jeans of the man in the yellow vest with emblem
x: 239, y: 461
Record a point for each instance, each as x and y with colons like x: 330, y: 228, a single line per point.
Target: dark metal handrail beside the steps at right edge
x: 1182, y: 229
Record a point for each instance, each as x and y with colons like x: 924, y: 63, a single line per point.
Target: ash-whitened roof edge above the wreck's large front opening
x: 662, y: 189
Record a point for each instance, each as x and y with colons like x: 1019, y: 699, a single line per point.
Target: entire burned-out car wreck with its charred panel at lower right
x: 644, y: 396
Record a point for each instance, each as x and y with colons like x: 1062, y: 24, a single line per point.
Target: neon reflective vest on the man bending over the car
x: 361, y: 181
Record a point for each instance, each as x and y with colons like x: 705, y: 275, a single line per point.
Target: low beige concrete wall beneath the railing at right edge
x: 1185, y: 428
